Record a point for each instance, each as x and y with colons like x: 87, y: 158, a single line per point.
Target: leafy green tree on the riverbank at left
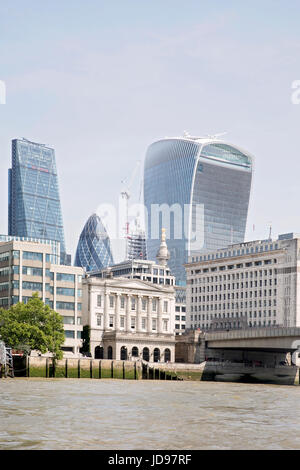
x: 33, y: 326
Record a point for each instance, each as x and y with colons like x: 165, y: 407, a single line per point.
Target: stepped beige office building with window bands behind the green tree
x: 27, y: 267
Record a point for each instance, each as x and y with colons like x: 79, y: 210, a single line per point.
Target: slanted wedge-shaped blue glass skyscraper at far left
x: 34, y: 208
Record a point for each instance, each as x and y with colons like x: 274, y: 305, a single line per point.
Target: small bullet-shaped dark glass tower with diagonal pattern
x: 93, y: 250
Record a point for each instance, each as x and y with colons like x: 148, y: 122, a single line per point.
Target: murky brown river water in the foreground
x: 117, y: 414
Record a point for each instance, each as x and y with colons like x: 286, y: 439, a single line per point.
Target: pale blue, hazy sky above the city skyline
x: 100, y: 80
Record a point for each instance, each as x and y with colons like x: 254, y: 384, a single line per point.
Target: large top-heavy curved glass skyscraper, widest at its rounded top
x: 198, y: 189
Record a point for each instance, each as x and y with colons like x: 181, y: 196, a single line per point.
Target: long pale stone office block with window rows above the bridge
x: 250, y: 284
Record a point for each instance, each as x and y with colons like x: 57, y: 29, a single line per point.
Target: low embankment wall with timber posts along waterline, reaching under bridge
x: 138, y: 370
